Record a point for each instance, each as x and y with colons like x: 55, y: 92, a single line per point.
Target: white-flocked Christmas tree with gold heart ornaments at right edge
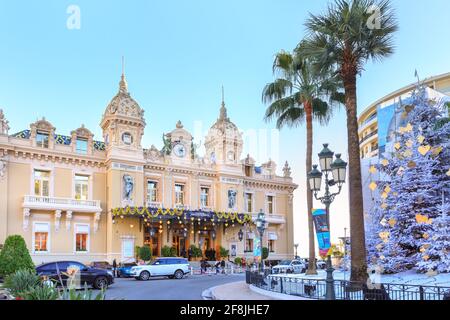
x: 409, y: 225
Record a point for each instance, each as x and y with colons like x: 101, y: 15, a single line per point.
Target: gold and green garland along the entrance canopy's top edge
x: 152, y: 212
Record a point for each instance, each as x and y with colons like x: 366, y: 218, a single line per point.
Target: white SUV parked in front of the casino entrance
x: 174, y: 268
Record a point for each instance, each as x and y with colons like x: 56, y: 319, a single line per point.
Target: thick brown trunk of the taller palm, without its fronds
x: 357, y: 233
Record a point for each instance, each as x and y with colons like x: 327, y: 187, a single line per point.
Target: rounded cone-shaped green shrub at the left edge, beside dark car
x: 15, y: 256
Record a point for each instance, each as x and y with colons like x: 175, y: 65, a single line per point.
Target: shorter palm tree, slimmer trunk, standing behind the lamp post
x: 296, y: 96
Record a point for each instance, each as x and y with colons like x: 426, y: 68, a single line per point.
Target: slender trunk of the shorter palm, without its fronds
x: 309, y: 197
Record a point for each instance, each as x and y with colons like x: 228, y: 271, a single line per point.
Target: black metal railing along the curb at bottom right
x: 345, y: 290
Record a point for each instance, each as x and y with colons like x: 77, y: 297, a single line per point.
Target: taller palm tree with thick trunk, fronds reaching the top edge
x: 344, y: 39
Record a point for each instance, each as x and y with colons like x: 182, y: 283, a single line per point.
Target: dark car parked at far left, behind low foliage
x: 97, y: 278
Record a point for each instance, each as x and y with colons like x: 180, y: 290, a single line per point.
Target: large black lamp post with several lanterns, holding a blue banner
x: 338, y: 169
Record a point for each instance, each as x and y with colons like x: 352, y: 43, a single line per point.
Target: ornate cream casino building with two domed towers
x: 76, y: 198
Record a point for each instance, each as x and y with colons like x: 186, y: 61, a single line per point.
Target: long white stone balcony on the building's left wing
x: 64, y: 204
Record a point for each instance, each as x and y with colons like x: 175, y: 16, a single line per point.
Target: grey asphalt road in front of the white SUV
x: 188, y: 288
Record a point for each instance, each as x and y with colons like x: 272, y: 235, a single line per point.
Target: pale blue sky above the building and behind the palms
x: 178, y: 54
